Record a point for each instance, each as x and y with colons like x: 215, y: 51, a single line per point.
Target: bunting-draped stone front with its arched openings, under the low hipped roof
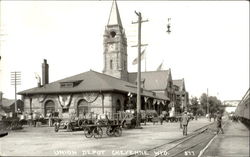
x: 80, y: 104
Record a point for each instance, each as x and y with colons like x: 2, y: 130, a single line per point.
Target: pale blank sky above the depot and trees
x: 208, y: 45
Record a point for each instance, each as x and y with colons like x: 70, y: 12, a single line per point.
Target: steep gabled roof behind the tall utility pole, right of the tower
x: 153, y: 80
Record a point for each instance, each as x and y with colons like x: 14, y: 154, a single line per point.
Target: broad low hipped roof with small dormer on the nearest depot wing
x: 88, y: 82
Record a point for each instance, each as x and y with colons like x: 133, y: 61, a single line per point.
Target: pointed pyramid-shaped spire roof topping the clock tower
x: 114, y: 16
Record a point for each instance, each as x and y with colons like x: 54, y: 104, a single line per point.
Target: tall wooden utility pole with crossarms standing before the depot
x: 139, y: 68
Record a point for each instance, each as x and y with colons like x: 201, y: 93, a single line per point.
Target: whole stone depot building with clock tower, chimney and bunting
x: 103, y: 93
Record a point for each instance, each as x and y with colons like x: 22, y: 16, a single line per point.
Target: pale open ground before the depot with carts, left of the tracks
x: 43, y: 141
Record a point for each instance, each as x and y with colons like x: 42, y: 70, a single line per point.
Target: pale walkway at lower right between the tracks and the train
x: 233, y: 143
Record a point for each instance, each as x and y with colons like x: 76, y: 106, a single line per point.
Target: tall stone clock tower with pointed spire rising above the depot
x: 115, y: 46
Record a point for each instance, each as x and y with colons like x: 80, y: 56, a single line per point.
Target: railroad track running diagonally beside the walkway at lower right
x: 186, y: 146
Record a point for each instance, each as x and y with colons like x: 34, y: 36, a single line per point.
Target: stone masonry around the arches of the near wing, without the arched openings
x: 97, y: 103
